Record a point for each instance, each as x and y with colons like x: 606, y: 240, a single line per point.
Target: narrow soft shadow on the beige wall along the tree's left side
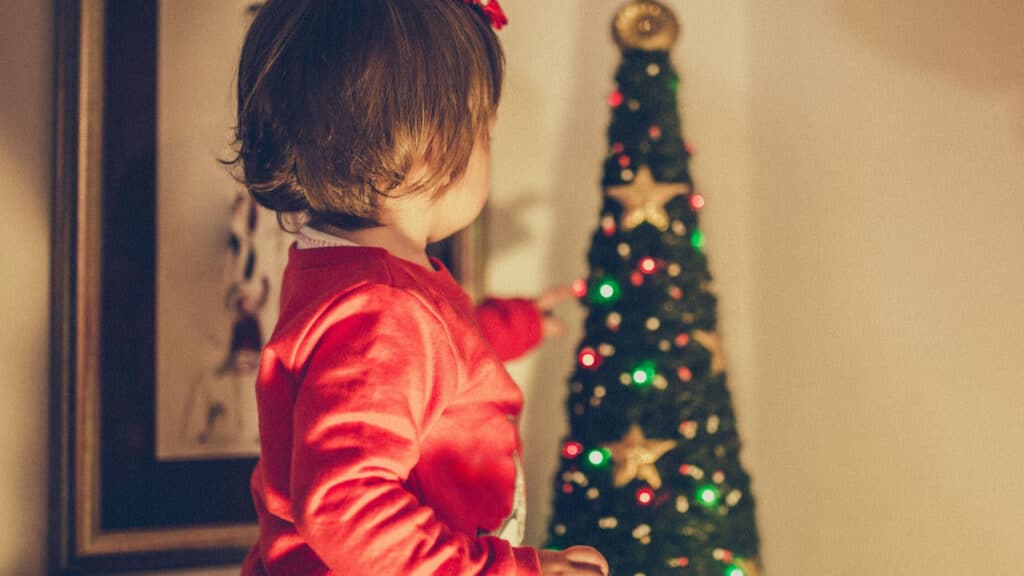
x: 575, y: 201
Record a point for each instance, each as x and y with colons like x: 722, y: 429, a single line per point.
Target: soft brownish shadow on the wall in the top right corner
x: 977, y: 44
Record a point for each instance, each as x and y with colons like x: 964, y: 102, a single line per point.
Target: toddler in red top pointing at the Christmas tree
x: 389, y: 426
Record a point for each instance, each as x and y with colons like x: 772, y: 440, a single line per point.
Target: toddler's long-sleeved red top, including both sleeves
x: 389, y: 425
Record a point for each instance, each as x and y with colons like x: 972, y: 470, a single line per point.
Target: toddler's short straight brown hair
x: 338, y: 99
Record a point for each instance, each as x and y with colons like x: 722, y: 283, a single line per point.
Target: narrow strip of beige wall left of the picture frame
x: 26, y: 159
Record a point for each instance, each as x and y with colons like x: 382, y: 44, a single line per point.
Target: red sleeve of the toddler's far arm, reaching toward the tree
x: 514, y: 326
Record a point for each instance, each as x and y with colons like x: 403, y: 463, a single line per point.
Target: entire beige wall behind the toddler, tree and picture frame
x: 862, y: 162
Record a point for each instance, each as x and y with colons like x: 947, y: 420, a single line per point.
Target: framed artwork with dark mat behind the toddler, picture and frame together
x: 166, y: 280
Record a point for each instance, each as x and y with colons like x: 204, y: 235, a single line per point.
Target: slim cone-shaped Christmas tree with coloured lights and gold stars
x: 651, y: 473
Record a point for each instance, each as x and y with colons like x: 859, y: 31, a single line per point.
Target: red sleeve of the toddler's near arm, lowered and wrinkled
x: 377, y: 379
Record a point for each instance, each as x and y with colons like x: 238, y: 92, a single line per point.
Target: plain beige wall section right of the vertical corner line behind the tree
x: 887, y: 160
